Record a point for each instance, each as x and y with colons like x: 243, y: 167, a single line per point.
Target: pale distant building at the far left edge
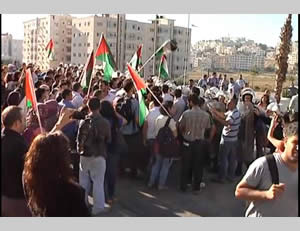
x: 12, y: 49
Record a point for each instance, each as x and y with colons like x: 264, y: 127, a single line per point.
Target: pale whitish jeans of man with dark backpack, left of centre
x: 92, y: 169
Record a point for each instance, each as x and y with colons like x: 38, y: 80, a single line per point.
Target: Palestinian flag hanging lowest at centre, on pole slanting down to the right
x: 141, y: 90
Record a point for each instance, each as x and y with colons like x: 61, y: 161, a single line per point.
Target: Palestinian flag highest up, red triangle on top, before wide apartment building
x: 103, y: 54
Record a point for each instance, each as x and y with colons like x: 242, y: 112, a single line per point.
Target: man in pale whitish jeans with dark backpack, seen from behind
x: 94, y: 135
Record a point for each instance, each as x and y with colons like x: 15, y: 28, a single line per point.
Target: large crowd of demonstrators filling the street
x: 87, y: 141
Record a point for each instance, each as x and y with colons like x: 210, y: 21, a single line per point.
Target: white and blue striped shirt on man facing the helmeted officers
x: 230, y: 132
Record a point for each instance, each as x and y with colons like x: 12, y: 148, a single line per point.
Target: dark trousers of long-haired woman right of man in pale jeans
x: 111, y: 175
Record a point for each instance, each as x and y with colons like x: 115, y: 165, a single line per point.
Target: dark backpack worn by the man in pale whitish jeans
x: 90, y: 147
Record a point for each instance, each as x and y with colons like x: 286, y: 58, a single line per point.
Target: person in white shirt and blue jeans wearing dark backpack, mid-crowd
x: 164, y: 147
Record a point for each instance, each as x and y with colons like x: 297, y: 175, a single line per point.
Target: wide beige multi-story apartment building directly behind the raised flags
x: 87, y: 31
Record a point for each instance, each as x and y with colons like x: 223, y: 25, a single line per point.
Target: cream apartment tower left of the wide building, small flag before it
x: 37, y: 34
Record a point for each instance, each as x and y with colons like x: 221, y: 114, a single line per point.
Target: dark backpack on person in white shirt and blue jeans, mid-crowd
x: 166, y: 144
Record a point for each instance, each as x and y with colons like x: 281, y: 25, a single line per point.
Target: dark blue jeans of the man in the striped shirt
x: 227, y: 159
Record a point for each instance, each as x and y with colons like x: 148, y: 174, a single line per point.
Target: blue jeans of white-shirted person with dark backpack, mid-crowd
x: 160, y: 170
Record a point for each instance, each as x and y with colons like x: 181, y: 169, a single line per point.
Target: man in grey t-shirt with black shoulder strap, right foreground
x: 271, y: 182
